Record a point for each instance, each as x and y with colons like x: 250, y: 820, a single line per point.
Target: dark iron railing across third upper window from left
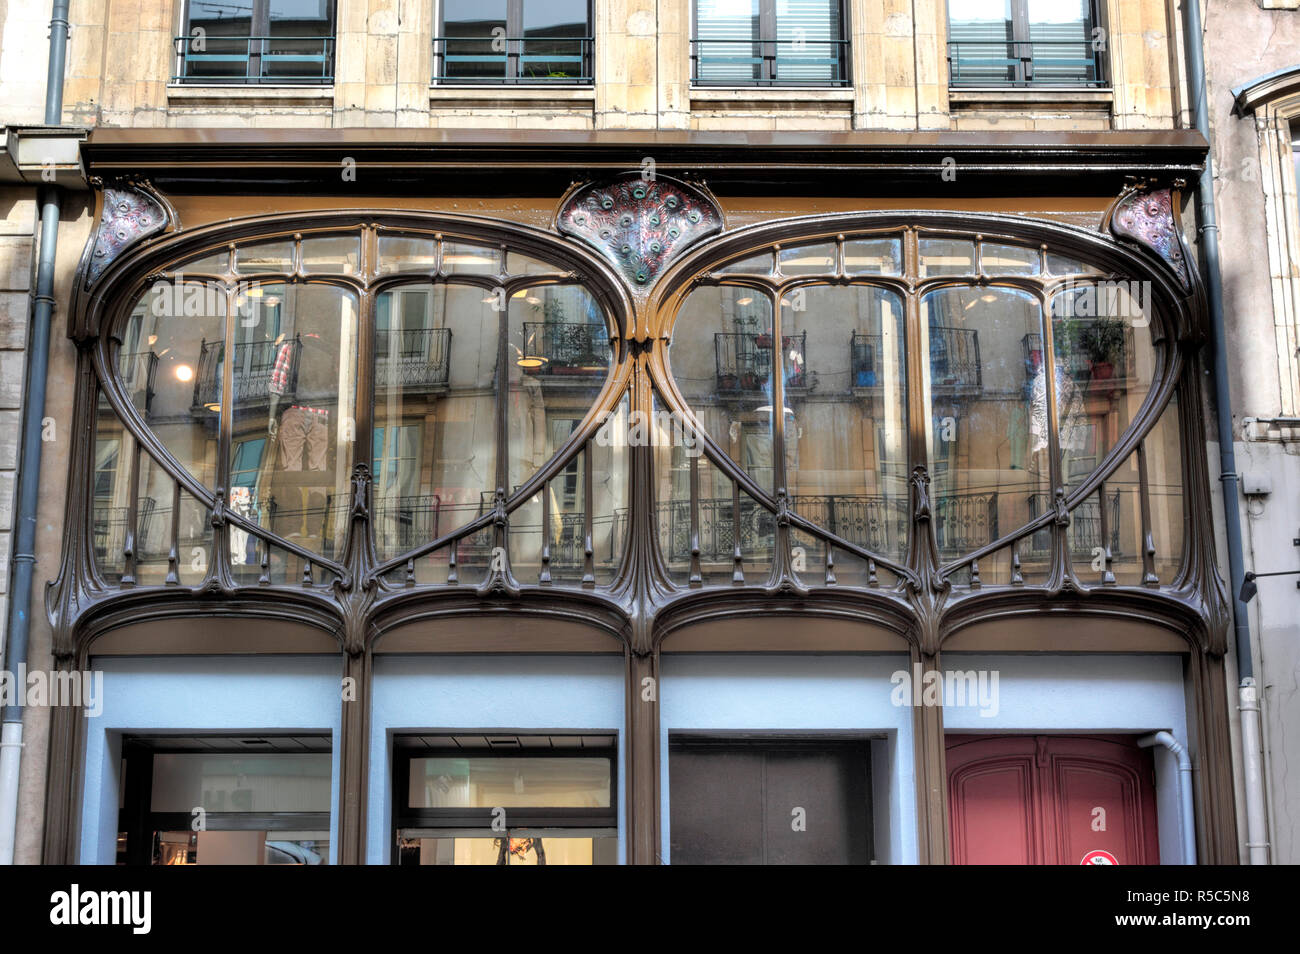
x: 796, y: 62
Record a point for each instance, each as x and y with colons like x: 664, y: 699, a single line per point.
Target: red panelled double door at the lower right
x: 1051, y: 800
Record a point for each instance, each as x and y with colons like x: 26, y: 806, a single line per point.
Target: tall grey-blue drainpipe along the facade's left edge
x: 29, y: 472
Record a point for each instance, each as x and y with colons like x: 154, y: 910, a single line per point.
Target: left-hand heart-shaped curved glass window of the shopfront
x: 245, y: 365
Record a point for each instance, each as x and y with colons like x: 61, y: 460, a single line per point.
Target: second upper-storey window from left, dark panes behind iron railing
x: 547, y: 42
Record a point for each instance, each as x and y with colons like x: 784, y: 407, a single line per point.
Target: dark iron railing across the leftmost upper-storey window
x: 210, y: 60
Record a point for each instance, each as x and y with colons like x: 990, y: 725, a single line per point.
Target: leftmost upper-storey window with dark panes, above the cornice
x: 274, y: 42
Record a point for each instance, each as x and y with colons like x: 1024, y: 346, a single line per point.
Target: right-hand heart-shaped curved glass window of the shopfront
x: 891, y: 350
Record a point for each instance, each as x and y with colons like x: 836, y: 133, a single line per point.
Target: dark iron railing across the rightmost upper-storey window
x: 1024, y: 63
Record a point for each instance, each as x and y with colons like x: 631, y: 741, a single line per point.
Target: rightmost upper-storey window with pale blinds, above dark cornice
x: 1025, y: 44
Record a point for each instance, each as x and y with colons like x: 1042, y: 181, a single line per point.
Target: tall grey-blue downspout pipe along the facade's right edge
x: 1256, y: 839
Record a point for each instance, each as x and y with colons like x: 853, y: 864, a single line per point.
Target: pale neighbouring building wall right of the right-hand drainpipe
x: 1259, y: 226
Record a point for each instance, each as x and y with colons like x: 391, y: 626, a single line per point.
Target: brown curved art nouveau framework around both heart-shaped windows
x: 640, y: 331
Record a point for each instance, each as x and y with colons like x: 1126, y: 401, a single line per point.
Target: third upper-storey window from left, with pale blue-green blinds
x: 770, y: 44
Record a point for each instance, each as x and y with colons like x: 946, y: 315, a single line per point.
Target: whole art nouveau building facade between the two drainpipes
x: 616, y: 496
